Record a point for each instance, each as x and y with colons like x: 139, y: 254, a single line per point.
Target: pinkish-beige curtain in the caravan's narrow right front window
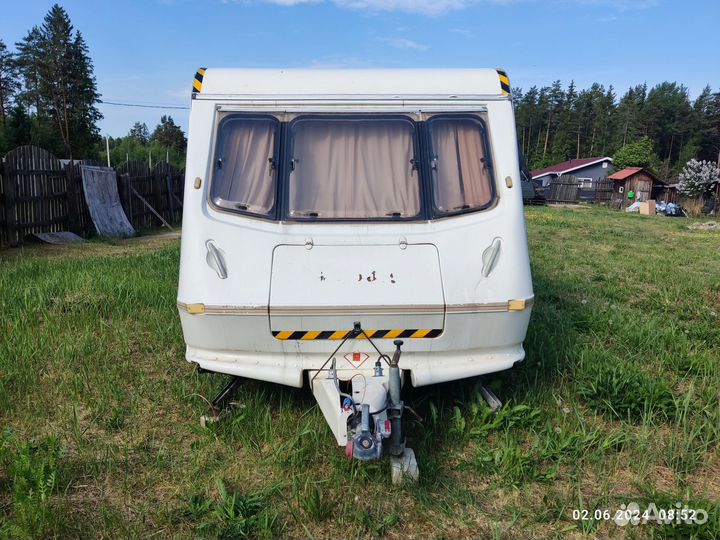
x: 460, y: 175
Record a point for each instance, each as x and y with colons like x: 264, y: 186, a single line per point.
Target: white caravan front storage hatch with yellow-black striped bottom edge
x: 318, y: 293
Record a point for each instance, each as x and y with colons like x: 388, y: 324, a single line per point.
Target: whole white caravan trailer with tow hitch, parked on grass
x: 354, y: 230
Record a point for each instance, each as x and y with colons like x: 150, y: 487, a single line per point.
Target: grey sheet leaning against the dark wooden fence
x: 100, y: 185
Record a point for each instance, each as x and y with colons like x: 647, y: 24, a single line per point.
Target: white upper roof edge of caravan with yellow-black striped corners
x: 446, y: 83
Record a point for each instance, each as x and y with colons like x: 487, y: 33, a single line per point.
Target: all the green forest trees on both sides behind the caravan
x: 49, y: 97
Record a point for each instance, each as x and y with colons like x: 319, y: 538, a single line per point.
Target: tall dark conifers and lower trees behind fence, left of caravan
x: 49, y: 97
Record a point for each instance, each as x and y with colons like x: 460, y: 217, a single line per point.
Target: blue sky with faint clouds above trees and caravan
x: 147, y: 51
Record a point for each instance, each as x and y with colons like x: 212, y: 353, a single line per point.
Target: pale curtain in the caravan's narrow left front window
x: 244, y: 178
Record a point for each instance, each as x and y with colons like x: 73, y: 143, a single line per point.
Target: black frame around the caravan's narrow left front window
x: 273, y: 212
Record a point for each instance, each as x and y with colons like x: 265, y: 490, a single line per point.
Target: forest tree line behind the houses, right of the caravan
x: 659, y: 127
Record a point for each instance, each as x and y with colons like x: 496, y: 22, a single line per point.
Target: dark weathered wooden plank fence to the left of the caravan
x: 38, y: 193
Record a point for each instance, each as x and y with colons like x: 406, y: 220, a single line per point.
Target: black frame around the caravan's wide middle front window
x: 417, y: 155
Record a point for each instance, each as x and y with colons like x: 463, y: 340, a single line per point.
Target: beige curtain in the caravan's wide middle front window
x: 353, y: 169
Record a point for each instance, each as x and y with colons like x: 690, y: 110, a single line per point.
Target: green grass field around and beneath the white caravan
x: 616, y: 402
